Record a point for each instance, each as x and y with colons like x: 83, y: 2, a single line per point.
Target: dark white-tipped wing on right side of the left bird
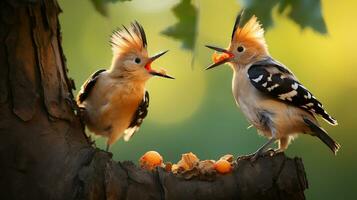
x: 138, y: 117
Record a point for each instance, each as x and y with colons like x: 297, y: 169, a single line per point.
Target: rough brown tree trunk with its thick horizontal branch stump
x: 44, y: 153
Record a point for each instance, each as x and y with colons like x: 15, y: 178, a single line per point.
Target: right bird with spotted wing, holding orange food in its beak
x: 267, y: 92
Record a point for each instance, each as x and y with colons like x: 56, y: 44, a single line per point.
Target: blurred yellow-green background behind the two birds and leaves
x: 196, y: 112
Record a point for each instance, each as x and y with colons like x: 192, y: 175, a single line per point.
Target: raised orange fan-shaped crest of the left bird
x: 129, y: 39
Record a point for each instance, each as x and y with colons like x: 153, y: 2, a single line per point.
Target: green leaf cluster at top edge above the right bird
x: 305, y: 13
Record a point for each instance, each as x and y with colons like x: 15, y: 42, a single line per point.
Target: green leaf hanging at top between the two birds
x: 185, y: 29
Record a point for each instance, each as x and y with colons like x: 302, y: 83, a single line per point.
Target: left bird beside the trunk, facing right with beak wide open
x: 114, y: 102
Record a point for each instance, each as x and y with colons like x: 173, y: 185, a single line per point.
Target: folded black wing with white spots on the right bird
x: 275, y: 80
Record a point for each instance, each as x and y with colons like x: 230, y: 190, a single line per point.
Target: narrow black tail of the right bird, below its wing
x: 323, y: 136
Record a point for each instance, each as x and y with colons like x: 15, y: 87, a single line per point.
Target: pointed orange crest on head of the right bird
x: 251, y: 32
